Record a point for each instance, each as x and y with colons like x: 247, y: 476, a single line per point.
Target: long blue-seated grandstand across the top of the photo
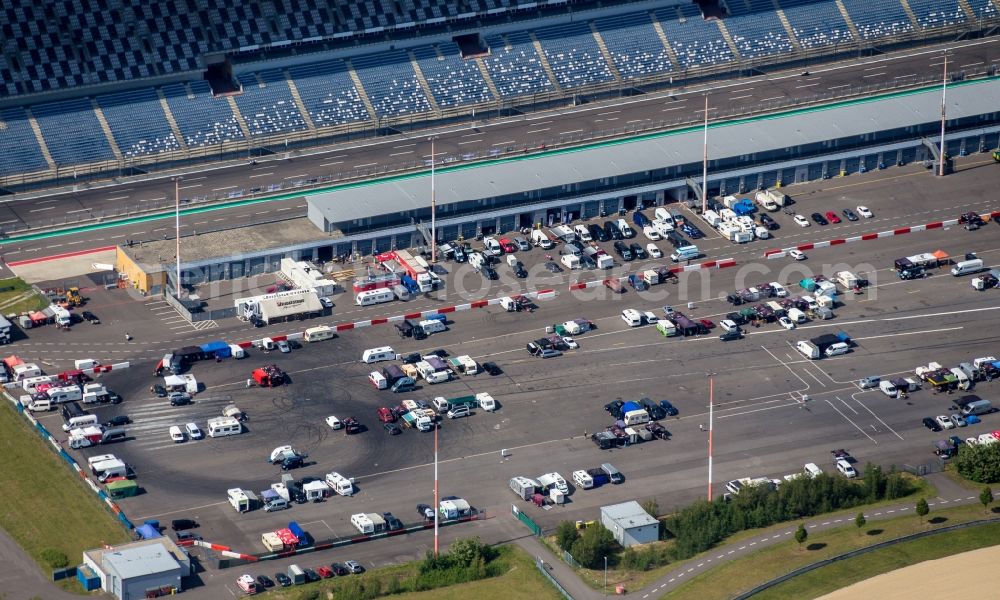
x: 92, y: 88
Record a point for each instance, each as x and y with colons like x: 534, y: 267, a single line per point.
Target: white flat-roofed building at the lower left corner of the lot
x: 133, y: 571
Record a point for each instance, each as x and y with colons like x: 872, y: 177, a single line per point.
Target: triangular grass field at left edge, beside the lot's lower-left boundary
x: 46, y: 505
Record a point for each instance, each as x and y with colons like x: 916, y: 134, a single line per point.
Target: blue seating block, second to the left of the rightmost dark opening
x: 634, y: 46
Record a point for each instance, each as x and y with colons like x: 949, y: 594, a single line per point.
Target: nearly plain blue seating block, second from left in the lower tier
x: 72, y: 132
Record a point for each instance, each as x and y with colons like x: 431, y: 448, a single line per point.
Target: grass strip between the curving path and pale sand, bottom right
x: 740, y: 575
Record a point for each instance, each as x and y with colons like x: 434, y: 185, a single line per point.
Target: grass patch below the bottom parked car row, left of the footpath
x: 522, y: 581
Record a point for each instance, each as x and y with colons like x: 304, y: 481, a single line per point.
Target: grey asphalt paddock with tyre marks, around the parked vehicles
x: 548, y: 408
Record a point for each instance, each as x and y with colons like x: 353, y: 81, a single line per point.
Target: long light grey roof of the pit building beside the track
x: 726, y: 139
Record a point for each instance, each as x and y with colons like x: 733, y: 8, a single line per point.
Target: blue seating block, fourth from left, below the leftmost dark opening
x: 202, y: 119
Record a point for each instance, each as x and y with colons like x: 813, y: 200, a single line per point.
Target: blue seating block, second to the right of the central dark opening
x: 573, y: 55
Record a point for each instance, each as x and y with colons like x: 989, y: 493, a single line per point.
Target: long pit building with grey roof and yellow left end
x: 546, y: 187
